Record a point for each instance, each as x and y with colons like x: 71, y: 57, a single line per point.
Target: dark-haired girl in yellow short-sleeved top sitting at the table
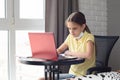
x: 80, y: 43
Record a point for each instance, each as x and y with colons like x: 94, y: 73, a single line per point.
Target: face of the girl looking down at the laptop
x: 75, y: 29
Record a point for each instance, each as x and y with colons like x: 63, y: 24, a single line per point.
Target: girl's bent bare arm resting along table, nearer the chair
x: 87, y: 54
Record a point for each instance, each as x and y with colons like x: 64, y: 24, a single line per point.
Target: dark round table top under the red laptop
x: 36, y: 61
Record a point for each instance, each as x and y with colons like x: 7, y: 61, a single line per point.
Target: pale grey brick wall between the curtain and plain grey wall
x: 96, y: 15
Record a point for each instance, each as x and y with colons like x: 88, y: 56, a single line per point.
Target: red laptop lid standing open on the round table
x: 43, y: 45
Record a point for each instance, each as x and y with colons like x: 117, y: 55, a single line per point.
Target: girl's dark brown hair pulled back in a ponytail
x: 79, y: 18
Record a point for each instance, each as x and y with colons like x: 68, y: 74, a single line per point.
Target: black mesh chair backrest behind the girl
x: 104, y: 45
